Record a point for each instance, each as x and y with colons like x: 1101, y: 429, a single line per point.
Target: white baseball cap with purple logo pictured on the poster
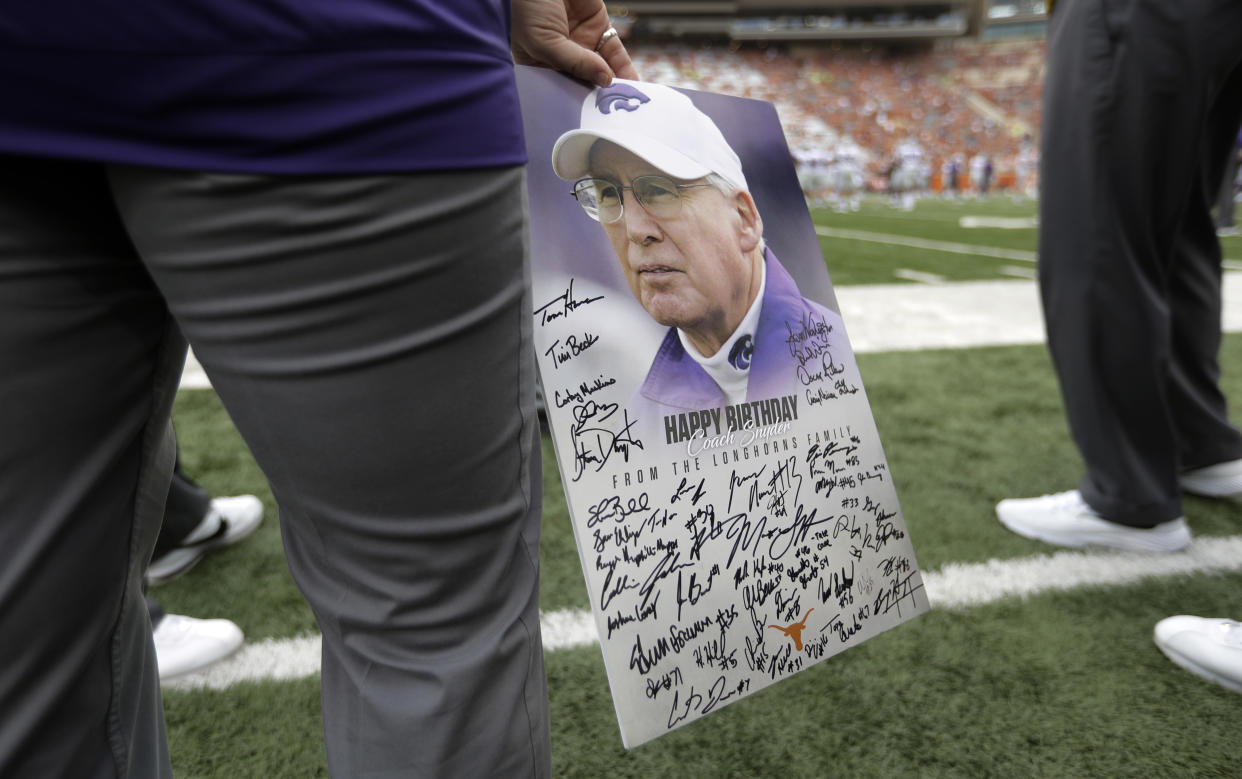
x: 658, y: 124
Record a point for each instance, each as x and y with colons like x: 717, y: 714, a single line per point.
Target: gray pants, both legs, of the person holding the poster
x: 371, y: 339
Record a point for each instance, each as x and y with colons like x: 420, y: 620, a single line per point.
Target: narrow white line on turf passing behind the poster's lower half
x: 954, y: 587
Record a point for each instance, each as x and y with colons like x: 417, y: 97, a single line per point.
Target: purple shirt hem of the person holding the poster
x: 261, y: 86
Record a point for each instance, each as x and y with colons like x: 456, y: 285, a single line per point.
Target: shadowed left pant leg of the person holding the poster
x: 90, y: 361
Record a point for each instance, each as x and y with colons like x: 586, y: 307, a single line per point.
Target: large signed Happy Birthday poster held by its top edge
x: 732, y: 505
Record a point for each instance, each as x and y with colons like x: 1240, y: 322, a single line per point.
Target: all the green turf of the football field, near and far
x: 1056, y: 685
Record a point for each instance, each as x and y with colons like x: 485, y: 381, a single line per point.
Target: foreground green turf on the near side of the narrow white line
x: 1065, y: 685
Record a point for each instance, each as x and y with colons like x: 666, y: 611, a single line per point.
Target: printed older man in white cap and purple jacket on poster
x: 671, y: 196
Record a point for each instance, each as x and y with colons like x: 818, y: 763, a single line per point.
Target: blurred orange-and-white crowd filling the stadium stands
x: 962, y: 116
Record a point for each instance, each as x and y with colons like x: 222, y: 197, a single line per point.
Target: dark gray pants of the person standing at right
x: 1141, y: 102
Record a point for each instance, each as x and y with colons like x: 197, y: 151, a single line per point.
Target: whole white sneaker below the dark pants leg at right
x: 1067, y: 521
